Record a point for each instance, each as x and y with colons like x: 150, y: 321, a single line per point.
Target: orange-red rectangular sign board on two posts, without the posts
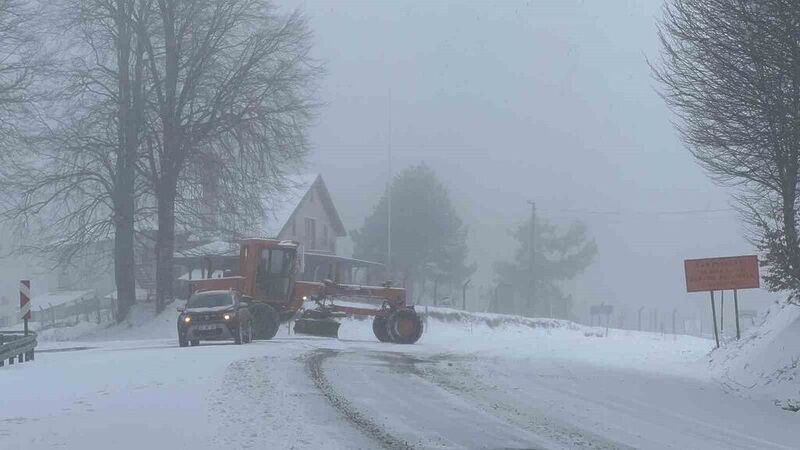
x: 719, y: 274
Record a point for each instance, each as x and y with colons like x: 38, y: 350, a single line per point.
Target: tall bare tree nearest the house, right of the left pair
x: 232, y: 89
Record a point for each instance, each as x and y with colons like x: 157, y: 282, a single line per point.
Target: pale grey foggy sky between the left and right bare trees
x: 511, y: 101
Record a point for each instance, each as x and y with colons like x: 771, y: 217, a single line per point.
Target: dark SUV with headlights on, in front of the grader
x: 215, y: 316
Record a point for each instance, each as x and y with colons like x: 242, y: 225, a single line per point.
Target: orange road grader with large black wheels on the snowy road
x: 267, y: 280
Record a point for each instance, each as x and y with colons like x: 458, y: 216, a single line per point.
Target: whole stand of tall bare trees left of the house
x: 118, y: 116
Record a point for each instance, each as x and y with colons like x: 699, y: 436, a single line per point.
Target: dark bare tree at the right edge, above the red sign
x: 731, y: 71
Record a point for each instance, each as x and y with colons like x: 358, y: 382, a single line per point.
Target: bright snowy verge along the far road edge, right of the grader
x: 486, y: 335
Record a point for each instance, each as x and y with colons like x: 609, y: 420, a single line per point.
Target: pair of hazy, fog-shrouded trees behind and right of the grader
x: 429, y: 249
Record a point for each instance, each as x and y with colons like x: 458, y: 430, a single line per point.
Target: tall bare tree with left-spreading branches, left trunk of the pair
x: 74, y: 185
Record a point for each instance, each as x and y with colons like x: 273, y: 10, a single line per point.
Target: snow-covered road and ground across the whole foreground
x: 457, y: 388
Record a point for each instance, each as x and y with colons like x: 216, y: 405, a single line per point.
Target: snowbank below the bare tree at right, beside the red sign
x: 766, y: 361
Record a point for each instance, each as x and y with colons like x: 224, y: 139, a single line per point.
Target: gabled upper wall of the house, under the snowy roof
x: 311, y: 207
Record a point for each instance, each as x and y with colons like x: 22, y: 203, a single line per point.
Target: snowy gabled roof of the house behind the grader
x: 282, y: 208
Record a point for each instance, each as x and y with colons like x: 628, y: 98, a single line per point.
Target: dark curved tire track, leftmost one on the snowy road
x: 313, y: 362
